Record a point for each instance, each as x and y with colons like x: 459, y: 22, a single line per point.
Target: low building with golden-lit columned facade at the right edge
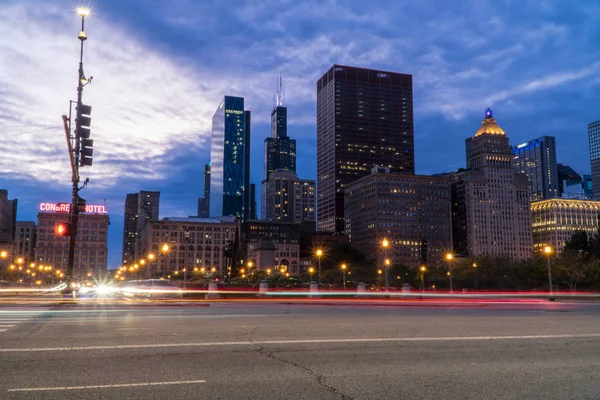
x: 554, y: 221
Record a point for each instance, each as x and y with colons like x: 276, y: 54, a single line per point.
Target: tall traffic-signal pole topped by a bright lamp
x: 80, y: 153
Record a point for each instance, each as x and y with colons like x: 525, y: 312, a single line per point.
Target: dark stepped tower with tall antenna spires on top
x: 280, y: 150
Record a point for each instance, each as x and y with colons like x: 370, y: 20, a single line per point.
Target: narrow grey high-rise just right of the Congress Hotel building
x: 140, y: 208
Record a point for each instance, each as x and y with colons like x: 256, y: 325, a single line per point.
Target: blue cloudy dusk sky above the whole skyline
x: 161, y: 68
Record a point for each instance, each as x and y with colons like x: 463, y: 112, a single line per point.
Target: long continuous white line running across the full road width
x: 305, y: 341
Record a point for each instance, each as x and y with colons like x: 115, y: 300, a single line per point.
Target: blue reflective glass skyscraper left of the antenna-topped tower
x: 229, y: 157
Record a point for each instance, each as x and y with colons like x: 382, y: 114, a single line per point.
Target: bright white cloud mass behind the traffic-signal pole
x: 143, y: 102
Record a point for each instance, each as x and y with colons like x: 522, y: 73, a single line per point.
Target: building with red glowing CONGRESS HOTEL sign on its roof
x: 91, y: 247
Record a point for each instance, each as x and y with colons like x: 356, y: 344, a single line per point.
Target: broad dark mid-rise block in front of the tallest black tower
x: 411, y: 211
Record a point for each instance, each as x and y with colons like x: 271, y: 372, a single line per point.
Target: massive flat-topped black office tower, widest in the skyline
x: 364, y: 120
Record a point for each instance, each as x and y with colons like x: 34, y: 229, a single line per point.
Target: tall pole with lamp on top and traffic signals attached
x: 74, y: 153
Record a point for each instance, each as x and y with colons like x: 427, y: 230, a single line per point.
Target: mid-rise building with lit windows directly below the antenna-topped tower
x: 288, y: 198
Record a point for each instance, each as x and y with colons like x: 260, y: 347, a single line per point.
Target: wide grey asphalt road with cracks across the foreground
x: 300, y: 351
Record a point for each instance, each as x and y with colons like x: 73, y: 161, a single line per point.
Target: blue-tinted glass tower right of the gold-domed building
x: 537, y: 159
